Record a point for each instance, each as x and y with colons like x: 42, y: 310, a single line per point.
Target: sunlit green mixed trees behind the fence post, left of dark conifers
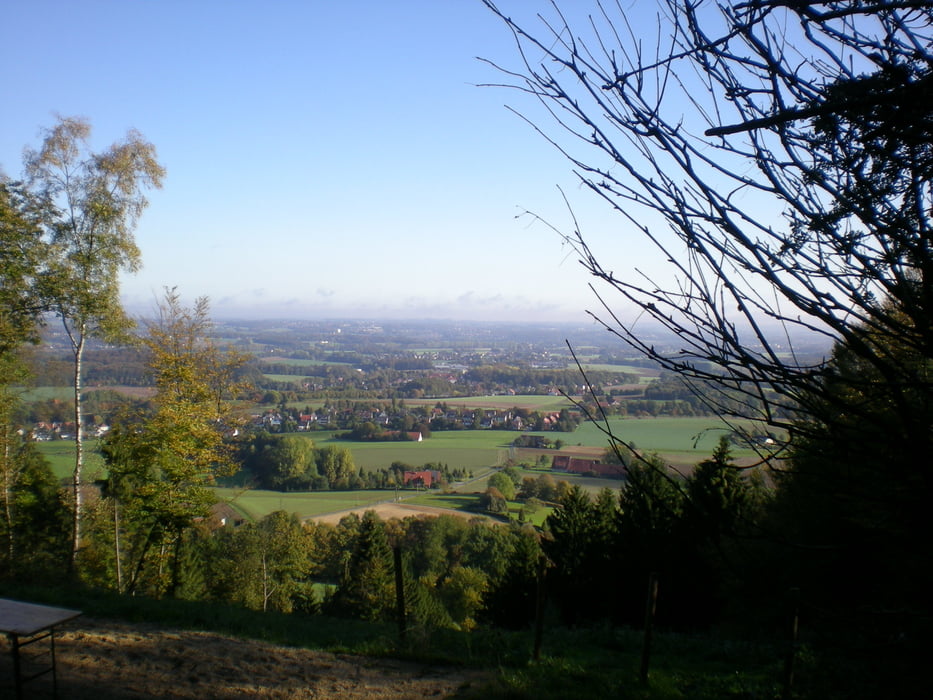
x: 457, y: 573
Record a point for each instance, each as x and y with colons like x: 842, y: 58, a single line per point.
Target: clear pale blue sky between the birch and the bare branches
x: 323, y: 158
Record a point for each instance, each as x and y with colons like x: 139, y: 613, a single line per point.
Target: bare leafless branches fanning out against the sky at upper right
x: 777, y: 154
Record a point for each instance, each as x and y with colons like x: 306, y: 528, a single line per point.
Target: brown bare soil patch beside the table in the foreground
x: 104, y: 660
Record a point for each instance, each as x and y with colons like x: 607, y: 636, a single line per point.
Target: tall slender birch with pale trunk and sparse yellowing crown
x: 92, y: 203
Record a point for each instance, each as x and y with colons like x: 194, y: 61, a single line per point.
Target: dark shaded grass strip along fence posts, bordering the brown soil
x: 583, y: 663
